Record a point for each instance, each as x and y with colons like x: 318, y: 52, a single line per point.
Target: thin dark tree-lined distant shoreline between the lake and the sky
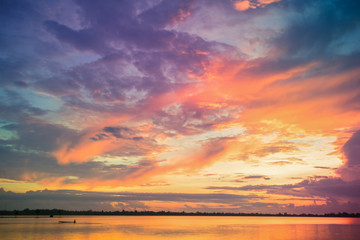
x: 63, y: 213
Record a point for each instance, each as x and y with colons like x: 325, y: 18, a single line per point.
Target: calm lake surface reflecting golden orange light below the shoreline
x: 179, y: 227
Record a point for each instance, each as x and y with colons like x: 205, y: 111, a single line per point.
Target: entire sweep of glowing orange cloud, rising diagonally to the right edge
x: 289, y: 99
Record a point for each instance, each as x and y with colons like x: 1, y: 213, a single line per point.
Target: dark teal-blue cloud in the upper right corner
x: 331, y: 18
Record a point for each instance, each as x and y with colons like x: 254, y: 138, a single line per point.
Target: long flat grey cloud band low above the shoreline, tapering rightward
x: 52, y: 199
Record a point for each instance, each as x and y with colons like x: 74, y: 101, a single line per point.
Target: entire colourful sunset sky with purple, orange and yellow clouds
x: 180, y: 105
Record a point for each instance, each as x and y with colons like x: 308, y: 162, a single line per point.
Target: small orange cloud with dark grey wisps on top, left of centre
x: 103, y: 140
